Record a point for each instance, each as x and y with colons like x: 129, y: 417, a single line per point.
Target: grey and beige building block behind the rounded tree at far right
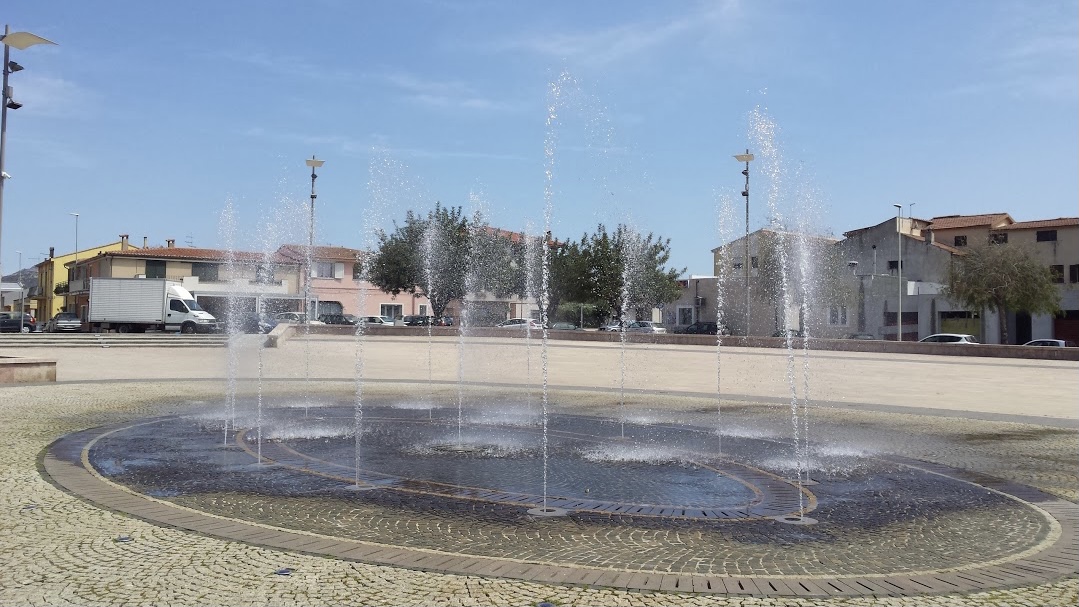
x: 923, y: 250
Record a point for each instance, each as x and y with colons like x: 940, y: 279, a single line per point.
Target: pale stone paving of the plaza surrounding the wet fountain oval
x: 60, y: 549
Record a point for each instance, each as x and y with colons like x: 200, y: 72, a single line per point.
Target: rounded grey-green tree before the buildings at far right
x: 1002, y: 279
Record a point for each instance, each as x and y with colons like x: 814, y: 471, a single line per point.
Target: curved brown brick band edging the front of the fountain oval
x: 65, y: 463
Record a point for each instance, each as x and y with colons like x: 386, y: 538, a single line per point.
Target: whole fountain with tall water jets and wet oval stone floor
x: 466, y: 477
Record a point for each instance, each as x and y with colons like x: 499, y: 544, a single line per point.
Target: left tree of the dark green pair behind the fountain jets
x: 429, y: 256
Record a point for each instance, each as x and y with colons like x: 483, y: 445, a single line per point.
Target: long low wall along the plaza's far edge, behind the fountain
x: 283, y: 333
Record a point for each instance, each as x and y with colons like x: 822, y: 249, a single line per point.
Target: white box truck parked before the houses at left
x: 140, y: 305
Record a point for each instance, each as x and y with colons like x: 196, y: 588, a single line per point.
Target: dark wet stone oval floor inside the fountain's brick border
x: 875, y: 516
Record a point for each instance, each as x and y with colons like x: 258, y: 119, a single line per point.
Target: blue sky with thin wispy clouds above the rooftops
x: 149, y: 118
